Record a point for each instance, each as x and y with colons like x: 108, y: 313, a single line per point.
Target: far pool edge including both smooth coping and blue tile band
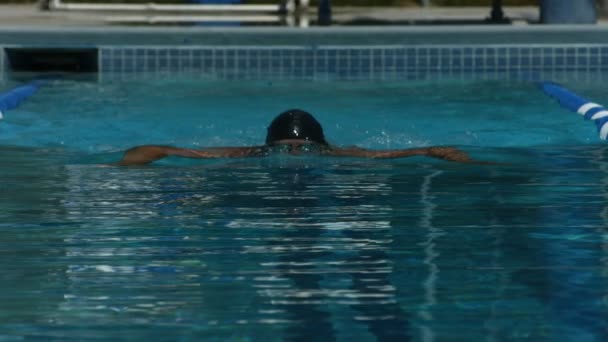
x: 410, y: 53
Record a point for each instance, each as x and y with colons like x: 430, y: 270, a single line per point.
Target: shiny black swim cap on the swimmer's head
x: 295, y: 124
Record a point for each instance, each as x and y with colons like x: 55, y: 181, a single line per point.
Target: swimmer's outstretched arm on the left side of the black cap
x: 146, y: 154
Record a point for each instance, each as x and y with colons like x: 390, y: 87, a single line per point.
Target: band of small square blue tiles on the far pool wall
x: 374, y: 62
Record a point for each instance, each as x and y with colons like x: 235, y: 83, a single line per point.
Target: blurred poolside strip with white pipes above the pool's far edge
x: 347, y: 12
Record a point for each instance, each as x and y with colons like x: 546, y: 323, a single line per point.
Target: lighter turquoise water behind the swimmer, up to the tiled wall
x: 112, y: 116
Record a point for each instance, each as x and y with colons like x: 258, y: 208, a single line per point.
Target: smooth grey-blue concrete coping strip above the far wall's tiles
x: 269, y: 36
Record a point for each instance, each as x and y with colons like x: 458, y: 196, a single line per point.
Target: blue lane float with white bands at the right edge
x: 578, y: 104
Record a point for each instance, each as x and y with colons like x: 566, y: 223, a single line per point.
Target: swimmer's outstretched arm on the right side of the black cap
x: 445, y: 153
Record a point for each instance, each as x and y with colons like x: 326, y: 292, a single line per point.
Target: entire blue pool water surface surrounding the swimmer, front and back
x: 302, y: 248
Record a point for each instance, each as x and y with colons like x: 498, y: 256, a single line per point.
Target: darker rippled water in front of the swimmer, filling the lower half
x: 303, y: 248
